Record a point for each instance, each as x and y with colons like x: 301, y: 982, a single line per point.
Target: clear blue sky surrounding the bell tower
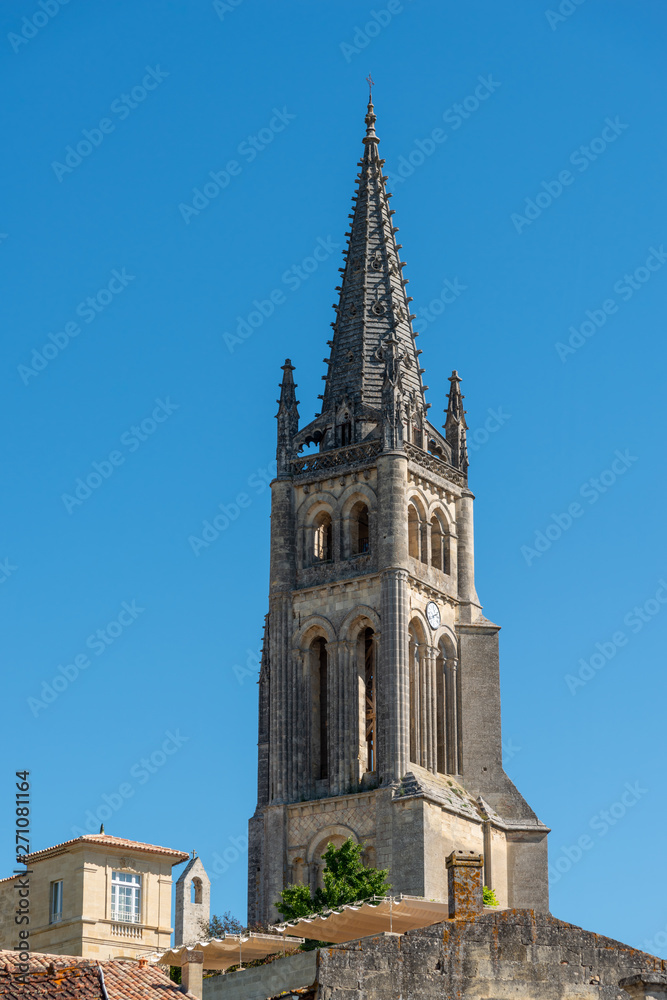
x: 541, y: 200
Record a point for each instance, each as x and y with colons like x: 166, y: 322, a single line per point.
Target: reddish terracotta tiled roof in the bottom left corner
x: 63, y: 977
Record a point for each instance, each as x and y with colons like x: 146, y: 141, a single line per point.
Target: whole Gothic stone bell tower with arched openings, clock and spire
x: 379, y: 695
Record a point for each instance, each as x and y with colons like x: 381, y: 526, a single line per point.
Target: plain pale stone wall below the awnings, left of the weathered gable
x: 291, y: 973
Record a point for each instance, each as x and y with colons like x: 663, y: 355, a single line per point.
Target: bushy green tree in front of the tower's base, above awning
x: 346, y: 880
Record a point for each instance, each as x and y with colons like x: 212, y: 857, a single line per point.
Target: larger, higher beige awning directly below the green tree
x: 385, y: 913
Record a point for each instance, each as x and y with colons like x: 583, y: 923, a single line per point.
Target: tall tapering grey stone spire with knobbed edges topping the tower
x: 372, y: 304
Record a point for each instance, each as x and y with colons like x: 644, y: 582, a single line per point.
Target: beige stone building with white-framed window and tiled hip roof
x: 98, y: 896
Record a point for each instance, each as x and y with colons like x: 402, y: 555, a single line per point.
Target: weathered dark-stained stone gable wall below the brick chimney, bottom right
x: 507, y: 955
